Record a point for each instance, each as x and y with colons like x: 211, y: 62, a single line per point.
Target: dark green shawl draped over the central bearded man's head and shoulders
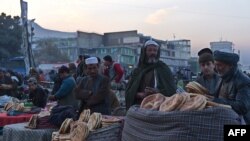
x: 166, y: 84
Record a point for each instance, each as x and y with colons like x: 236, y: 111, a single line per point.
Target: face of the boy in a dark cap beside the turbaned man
x: 207, y: 68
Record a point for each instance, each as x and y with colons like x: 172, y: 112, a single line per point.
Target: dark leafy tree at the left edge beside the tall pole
x: 10, y: 36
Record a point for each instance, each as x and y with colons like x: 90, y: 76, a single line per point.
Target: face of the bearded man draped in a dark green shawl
x: 151, y: 53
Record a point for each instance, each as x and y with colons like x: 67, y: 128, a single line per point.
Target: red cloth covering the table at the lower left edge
x: 5, y: 120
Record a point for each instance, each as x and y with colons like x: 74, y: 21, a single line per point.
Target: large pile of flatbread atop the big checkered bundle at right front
x: 179, y: 102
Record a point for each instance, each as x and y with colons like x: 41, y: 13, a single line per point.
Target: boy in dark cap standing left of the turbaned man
x: 208, y: 77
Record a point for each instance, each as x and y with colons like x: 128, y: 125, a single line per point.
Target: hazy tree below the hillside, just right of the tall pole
x: 49, y: 53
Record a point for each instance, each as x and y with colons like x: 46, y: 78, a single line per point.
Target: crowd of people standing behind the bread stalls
x: 90, y: 84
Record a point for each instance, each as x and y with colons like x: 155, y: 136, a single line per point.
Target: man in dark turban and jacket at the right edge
x: 234, y: 87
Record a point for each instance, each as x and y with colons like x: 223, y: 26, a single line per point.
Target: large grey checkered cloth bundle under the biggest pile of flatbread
x: 206, y: 125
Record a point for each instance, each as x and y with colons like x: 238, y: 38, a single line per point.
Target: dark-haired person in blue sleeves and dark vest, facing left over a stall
x: 64, y: 95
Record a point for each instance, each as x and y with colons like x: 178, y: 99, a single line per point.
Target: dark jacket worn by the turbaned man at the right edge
x: 237, y: 92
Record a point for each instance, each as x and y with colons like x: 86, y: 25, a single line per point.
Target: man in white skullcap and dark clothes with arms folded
x: 93, y: 89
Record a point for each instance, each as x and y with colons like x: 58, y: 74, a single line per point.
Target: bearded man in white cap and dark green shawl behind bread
x: 151, y: 76
